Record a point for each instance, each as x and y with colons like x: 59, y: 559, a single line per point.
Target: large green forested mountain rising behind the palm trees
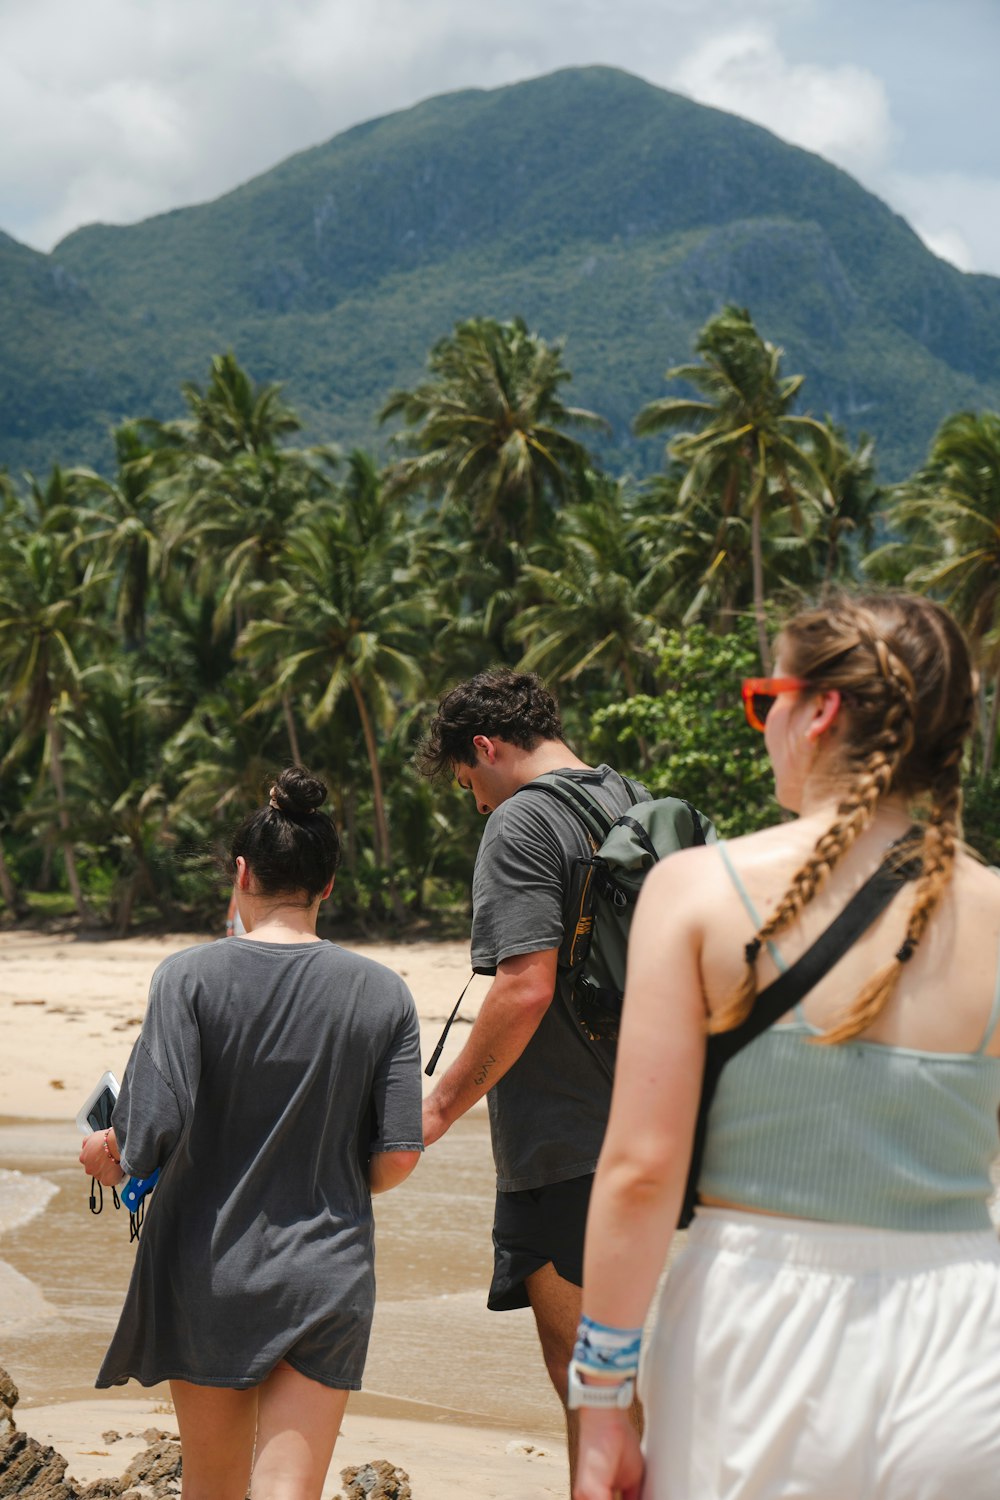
x: 596, y: 206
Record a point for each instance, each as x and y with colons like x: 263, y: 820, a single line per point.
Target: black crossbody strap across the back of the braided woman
x: 785, y: 992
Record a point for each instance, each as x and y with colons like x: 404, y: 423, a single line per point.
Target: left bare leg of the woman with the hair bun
x: 217, y: 1439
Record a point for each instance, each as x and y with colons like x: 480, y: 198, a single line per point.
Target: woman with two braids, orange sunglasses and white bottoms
x: 831, y: 1330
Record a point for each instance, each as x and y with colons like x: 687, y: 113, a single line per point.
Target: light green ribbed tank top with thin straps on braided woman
x: 860, y: 1133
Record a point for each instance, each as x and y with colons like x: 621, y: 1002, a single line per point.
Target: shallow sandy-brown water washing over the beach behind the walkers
x: 436, y: 1352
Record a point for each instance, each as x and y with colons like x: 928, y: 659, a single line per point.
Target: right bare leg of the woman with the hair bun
x: 298, y: 1426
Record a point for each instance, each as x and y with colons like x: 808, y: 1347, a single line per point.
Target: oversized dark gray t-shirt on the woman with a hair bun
x: 265, y: 1079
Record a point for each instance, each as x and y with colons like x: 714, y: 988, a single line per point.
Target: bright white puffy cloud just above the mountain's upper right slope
x: 842, y: 112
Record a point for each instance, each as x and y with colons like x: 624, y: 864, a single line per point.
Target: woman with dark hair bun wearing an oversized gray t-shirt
x: 277, y: 1085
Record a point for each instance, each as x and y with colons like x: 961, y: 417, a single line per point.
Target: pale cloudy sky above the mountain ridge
x: 115, y: 110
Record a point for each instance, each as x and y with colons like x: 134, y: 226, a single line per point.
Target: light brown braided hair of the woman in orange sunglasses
x: 846, y: 647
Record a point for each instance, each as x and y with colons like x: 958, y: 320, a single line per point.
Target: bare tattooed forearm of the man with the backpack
x: 509, y: 1019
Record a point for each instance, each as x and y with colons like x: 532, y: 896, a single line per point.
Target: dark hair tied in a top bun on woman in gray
x: 290, y: 845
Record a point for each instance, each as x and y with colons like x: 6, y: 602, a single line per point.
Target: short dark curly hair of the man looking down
x: 501, y: 704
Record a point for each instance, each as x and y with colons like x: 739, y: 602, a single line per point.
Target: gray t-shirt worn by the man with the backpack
x: 548, y: 1114
